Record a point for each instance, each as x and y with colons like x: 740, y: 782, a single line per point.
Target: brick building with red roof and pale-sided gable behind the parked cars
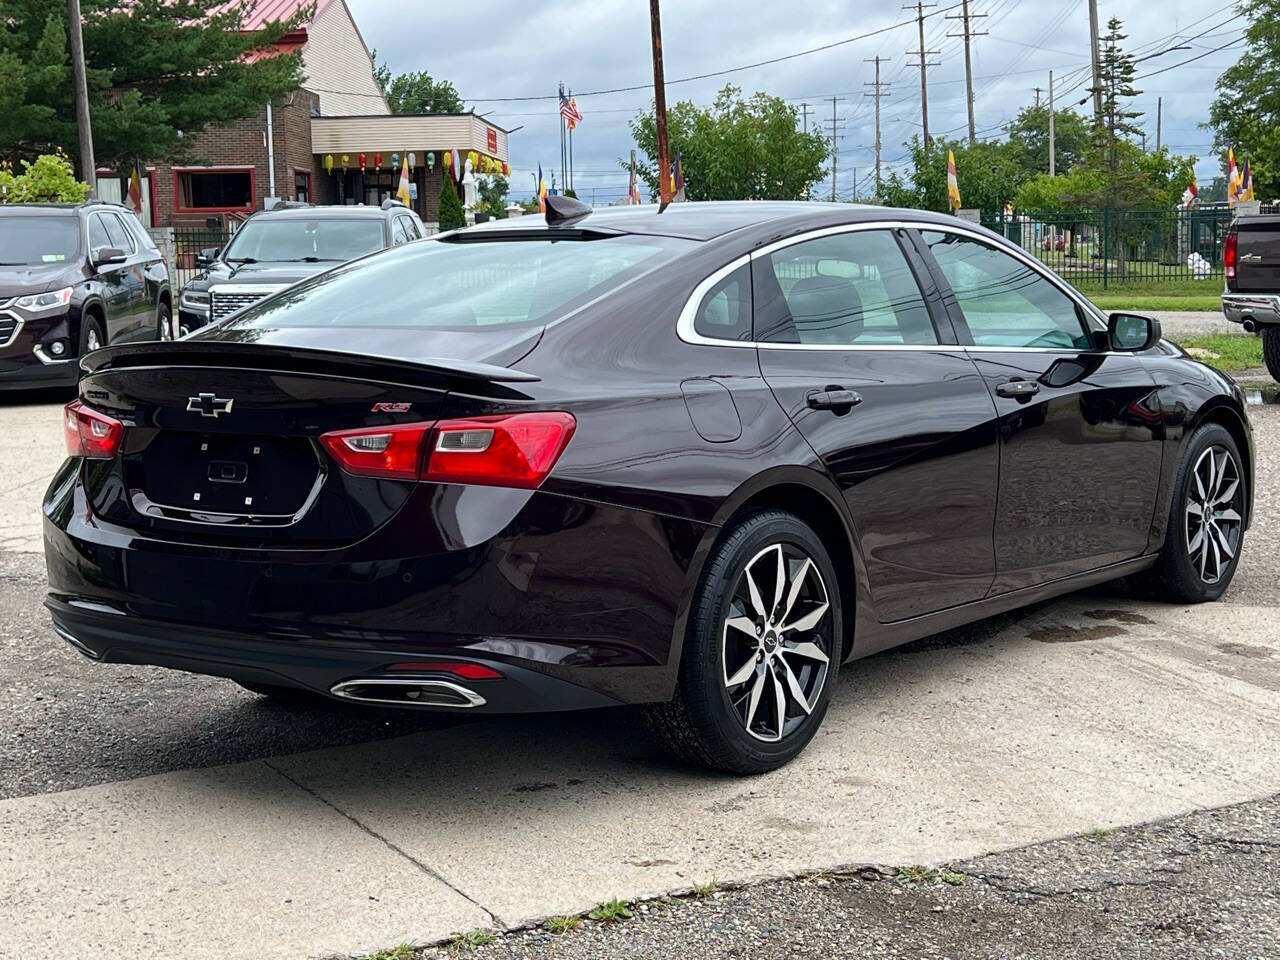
x: 339, y: 115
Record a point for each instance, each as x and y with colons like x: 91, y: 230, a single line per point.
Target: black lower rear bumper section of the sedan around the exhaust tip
x: 109, y: 636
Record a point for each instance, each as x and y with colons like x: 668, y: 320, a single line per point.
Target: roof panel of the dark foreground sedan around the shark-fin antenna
x: 706, y: 221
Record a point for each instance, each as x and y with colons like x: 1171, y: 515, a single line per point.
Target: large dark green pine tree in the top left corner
x: 159, y: 72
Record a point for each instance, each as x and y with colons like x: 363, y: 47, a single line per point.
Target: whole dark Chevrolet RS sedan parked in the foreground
x: 697, y: 460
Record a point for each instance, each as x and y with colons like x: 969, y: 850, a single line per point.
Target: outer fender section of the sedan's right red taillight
x: 514, y: 450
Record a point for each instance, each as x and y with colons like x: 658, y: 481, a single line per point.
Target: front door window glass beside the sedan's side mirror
x: 1005, y: 303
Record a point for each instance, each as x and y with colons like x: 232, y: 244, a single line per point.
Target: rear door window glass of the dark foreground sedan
x: 849, y: 289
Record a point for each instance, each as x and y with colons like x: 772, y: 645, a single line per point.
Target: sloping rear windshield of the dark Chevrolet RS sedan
x: 451, y: 285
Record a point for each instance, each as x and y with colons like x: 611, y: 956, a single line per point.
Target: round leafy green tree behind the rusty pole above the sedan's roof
x: 738, y: 149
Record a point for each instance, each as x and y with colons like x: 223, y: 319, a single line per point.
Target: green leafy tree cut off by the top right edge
x: 1246, y: 112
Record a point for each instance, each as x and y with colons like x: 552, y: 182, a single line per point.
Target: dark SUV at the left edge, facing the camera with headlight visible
x: 74, y: 278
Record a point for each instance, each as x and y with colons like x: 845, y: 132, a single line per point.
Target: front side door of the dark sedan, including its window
x: 1080, y: 426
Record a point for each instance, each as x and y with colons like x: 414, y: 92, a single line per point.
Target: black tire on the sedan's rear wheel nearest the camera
x: 707, y: 721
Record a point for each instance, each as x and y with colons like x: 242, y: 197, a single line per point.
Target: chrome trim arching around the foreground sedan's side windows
x: 685, y: 323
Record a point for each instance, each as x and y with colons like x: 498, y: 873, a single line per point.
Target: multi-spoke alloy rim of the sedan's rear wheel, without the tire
x: 776, y: 644
